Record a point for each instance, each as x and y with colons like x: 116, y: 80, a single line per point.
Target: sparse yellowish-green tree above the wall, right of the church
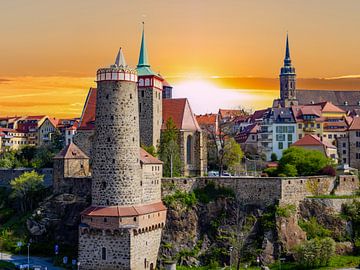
x: 232, y: 155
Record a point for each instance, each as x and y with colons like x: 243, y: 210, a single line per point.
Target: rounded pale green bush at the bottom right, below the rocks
x: 315, y: 253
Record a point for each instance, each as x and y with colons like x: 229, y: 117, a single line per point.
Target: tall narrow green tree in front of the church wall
x: 169, y: 151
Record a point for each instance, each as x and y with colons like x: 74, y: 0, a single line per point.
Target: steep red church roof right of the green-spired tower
x: 180, y: 111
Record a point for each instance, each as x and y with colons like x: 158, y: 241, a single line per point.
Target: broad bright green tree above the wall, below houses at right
x: 306, y: 162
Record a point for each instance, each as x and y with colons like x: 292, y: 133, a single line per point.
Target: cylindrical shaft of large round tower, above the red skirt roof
x: 116, y: 164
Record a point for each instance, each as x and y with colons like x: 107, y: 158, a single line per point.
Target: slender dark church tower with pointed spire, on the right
x: 288, y: 80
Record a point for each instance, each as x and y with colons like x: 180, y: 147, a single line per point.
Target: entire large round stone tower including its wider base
x: 122, y: 228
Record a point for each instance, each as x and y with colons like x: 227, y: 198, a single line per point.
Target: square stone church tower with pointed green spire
x: 150, y: 99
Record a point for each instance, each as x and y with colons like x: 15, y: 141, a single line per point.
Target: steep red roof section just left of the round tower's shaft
x: 88, y: 114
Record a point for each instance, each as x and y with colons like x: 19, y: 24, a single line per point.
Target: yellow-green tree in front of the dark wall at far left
x: 26, y: 189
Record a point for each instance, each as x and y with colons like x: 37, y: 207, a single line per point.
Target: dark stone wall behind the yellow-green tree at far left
x: 6, y: 175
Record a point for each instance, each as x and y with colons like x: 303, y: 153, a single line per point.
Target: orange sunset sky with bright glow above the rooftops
x: 233, y: 49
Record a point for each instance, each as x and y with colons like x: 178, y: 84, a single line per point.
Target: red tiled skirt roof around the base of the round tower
x: 123, y: 211
